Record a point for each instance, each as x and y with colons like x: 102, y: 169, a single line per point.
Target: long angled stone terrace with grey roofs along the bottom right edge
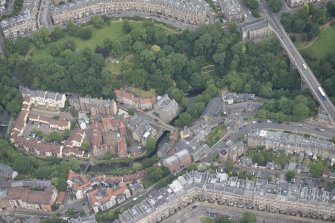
x: 285, y: 198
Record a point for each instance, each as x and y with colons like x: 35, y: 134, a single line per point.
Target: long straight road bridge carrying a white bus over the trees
x: 306, y: 74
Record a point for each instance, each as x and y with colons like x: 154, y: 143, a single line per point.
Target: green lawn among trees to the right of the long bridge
x: 324, y: 44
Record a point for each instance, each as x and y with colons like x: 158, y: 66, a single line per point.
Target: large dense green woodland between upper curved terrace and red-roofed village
x: 203, y: 61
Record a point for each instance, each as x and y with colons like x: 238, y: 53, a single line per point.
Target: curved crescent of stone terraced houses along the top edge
x: 190, y: 12
